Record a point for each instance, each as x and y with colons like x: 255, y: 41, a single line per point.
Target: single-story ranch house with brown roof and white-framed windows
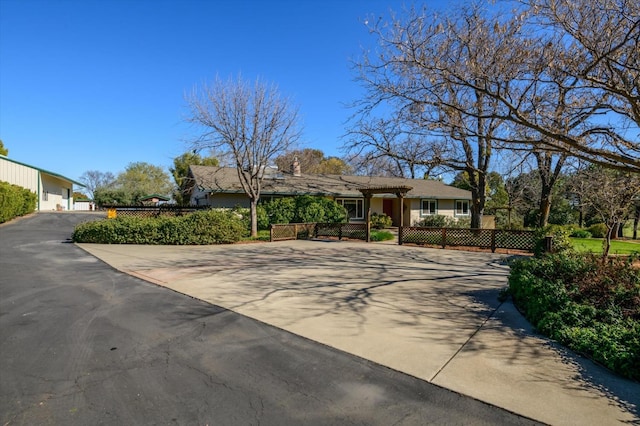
x: 220, y: 187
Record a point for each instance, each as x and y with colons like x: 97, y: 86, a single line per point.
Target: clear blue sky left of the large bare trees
x: 97, y: 84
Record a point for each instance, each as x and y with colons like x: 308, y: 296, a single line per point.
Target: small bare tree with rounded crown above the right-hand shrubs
x: 610, y: 193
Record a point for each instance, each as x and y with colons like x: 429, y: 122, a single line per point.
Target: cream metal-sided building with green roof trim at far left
x: 54, y: 191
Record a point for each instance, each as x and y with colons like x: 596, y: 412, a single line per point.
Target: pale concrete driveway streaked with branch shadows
x: 433, y: 314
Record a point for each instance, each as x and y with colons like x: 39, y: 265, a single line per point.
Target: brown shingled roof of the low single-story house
x: 225, y: 180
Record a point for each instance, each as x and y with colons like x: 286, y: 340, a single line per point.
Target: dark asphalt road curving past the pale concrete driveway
x: 81, y: 343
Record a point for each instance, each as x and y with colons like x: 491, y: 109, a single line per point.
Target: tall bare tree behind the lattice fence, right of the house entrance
x: 453, y: 124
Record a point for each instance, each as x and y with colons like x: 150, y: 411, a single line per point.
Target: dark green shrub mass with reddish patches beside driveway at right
x: 587, y: 305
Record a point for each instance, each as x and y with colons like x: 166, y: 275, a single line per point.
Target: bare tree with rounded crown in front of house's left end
x: 251, y: 122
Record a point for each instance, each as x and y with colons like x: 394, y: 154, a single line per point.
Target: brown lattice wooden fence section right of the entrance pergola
x: 483, y: 238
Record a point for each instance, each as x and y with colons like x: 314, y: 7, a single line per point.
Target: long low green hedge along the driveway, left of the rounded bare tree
x: 203, y: 227
